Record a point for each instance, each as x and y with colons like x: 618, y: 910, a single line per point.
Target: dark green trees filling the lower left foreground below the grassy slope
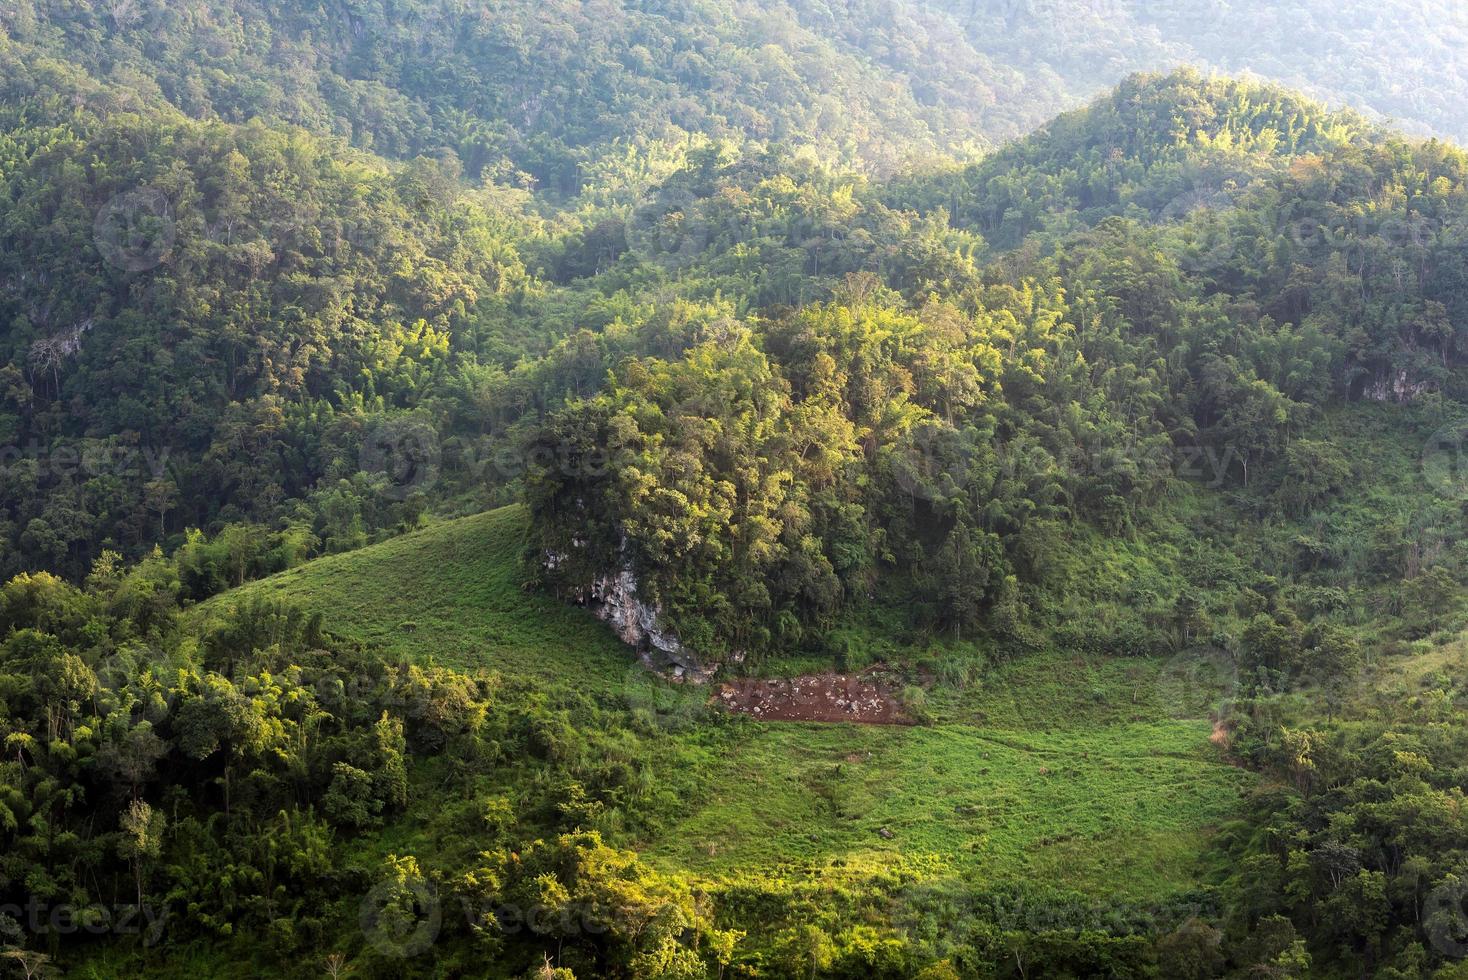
x: 217, y: 794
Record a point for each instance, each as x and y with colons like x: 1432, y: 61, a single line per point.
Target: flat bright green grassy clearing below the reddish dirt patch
x: 1119, y: 811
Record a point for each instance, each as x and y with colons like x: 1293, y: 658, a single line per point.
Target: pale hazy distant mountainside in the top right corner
x: 1388, y: 59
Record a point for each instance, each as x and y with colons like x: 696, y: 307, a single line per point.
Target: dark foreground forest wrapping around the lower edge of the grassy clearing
x: 187, y: 790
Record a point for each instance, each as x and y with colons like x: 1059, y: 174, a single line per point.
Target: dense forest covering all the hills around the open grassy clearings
x: 783, y: 348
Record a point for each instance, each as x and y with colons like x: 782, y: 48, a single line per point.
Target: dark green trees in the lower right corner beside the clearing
x: 1367, y: 847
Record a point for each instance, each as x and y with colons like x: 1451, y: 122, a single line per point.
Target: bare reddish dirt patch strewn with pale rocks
x: 820, y: 698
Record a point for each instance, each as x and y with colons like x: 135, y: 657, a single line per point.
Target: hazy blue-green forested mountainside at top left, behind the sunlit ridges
x: 526, y: 92
